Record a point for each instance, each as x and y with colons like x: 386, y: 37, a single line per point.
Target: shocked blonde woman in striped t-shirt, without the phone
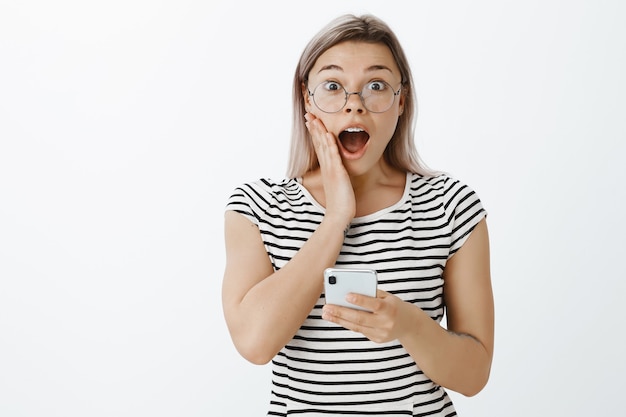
x: 357, y: 196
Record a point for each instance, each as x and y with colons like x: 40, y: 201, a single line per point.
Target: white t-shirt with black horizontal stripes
x: 326, y: 370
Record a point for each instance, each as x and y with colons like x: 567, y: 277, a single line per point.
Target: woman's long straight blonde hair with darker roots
x: 400, y: 152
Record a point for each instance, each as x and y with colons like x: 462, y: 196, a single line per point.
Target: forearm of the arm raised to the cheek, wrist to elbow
x: 271, y: 312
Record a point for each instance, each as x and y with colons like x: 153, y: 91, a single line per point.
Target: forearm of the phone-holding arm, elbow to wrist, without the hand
x: 456, y: 361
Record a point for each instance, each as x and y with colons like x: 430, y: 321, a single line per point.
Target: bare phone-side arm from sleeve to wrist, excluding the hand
x: 460, y: 358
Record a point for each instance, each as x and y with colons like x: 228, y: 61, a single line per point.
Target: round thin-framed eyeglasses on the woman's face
x: 376, y: 96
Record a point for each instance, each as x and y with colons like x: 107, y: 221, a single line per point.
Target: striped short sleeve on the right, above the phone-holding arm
x: 465, y: 211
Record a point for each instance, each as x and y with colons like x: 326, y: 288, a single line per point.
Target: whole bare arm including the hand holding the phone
x: 458, y: 358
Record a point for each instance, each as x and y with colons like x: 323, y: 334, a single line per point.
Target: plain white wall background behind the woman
x: 124, y: 125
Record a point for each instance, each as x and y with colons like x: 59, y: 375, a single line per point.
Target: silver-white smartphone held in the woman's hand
x: 338, y: 282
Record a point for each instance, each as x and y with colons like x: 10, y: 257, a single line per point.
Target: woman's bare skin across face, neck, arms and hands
x: 264, y: 308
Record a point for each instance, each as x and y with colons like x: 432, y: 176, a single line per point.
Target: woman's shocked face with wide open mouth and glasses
x: 362, y: 129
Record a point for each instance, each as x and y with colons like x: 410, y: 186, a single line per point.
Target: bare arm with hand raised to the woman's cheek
x: 263, y: 308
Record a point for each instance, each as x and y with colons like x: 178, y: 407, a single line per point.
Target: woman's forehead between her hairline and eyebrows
x: 355, y: 58
